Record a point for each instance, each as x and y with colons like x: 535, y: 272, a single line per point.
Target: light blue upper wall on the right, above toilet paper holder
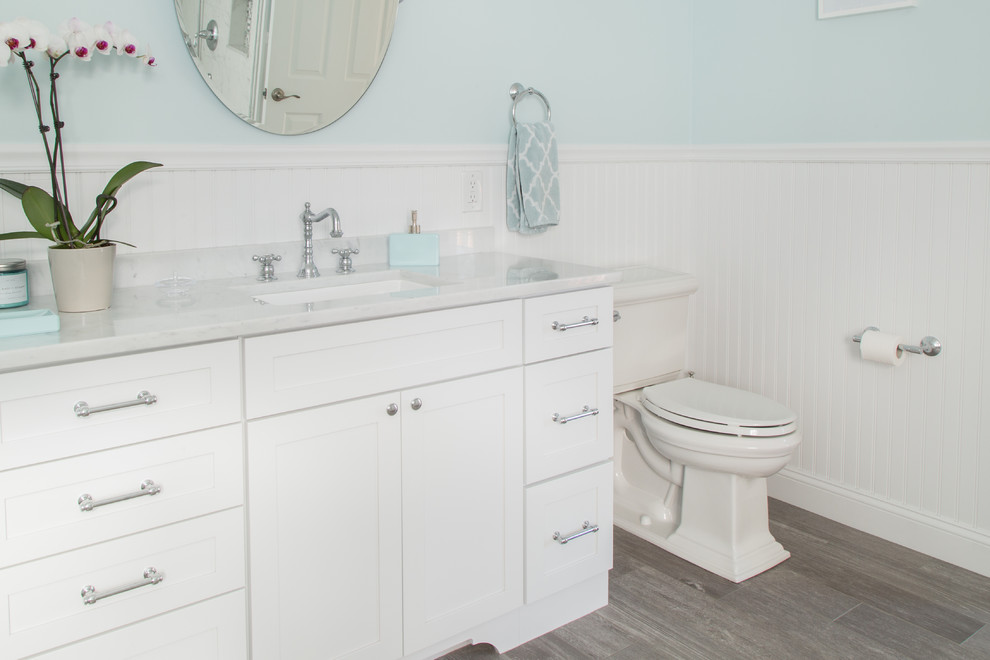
x: 768, y: 71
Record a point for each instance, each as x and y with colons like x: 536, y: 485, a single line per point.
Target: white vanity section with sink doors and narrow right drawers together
x: 388, y: 524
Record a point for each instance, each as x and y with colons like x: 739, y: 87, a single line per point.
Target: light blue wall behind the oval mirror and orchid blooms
x: 615, y: 73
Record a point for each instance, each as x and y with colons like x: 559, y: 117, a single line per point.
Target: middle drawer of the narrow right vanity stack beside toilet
x: 563, y: 430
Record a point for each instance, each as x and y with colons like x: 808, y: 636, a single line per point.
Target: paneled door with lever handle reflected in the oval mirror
x: 326, y: 54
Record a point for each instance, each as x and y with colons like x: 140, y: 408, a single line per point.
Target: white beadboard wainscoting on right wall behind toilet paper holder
x: 795, y: 257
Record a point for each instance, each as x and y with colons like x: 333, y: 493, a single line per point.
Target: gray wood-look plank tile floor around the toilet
x: 842, y: 594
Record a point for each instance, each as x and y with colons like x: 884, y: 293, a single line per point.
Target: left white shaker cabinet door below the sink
x: 326, y: 560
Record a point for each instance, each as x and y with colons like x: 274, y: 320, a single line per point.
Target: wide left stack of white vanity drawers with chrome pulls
x: 121, y: 513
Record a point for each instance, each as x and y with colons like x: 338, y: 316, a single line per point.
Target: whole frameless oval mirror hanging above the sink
x: 287, y: 66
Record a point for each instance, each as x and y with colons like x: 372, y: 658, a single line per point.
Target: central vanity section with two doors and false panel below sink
x: 385, y: 524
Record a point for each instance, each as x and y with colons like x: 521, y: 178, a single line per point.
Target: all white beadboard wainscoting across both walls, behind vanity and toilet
x: 797, y: 248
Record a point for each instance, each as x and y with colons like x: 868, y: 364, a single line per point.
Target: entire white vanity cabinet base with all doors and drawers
x: 409, y: 482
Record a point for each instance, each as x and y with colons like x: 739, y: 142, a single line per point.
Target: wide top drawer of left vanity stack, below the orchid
x: 195, y: 387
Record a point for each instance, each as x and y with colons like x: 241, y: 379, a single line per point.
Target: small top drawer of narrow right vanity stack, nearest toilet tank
x: 567, y: 323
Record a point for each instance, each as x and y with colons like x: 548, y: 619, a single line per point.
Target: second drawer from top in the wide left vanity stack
x: 40, y: 513
